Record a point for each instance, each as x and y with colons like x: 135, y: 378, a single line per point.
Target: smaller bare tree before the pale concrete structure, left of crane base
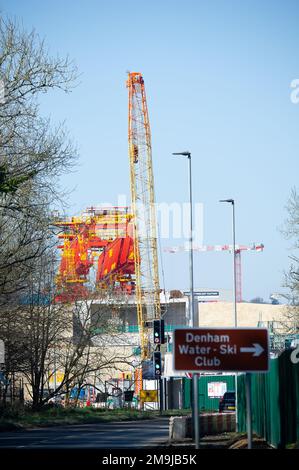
x: 98, y: 346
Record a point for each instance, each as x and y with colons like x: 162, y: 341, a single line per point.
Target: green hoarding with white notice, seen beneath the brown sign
x: 210, y: 389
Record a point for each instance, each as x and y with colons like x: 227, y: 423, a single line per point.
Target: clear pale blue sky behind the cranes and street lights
x: 217, y: 76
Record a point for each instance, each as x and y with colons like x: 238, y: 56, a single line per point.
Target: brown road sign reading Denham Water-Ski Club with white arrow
x: 221, y: 349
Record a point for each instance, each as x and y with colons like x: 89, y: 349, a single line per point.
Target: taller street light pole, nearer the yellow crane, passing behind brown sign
x: 192, y: 316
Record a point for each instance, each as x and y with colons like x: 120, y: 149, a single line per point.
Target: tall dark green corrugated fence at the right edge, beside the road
x: 275, y: 402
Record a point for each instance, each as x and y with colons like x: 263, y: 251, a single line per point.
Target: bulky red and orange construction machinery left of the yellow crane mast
x: 100, y: 238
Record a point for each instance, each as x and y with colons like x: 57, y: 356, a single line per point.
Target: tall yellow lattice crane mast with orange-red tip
x: 143, y: 209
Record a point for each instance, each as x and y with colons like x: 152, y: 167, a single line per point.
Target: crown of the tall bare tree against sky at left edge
x: 32, y: 153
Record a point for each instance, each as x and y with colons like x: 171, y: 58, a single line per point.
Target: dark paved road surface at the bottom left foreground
x: 129, y: 434
